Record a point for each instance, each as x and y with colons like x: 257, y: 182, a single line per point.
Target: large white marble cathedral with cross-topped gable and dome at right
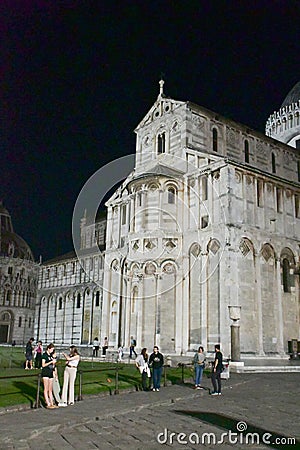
x: 208, y: 219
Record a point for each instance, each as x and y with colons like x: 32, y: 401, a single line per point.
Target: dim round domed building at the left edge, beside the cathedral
x: 18, y: 284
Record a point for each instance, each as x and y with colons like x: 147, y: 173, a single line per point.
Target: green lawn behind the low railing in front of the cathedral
x: 97, y: 377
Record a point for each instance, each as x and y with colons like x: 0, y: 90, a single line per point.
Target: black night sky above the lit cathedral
x: 78, y: 76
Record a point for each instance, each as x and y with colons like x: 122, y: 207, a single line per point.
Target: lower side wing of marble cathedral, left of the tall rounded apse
x: 69, y: 305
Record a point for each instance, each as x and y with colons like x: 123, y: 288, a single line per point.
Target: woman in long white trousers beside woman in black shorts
x: 69, y: 376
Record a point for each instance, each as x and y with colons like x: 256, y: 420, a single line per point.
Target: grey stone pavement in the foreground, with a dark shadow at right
x: 262, y: 403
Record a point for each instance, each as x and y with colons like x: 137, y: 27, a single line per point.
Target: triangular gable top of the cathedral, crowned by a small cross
x: 163, y: 105
